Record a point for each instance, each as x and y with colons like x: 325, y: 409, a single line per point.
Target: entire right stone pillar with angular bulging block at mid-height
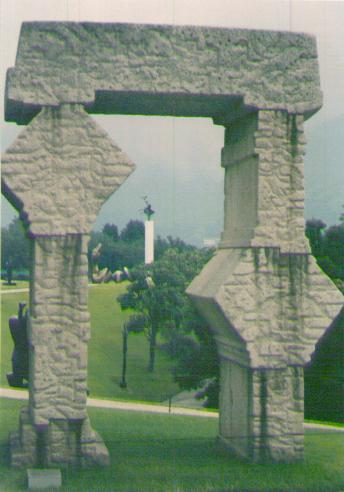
x: 263, y: 294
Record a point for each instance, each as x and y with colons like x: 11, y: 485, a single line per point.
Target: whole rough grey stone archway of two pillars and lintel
x: 262, y: 294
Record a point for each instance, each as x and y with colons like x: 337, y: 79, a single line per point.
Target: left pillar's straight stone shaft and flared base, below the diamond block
x: 55, y: 430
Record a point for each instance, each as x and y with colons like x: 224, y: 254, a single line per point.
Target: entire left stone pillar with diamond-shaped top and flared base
x: 58, y: 173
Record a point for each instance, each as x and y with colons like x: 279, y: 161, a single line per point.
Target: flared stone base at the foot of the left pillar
x: 61, y: 443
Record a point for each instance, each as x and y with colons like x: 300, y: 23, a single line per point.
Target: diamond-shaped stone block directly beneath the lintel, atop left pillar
x: 61, y: 169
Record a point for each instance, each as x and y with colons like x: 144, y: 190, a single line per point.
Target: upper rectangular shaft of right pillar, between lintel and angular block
x: 264, y: 187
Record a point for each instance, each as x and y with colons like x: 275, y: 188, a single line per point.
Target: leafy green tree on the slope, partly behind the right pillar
x: 157, y: 292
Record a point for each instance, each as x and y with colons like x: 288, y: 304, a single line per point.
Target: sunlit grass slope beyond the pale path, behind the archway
x: 105, y: 350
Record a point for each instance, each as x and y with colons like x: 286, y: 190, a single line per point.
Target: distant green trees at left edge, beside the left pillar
x: 15, y: 246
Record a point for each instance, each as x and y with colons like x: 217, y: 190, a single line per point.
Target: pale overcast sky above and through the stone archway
x: 185, y: 148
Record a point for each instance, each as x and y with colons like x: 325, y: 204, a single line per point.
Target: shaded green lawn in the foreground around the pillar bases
x: 174, y: 453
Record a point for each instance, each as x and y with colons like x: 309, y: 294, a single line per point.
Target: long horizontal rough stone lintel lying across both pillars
x: 120, y: 68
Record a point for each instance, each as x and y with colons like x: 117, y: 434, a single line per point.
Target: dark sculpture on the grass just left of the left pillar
x: 20, y: 355
